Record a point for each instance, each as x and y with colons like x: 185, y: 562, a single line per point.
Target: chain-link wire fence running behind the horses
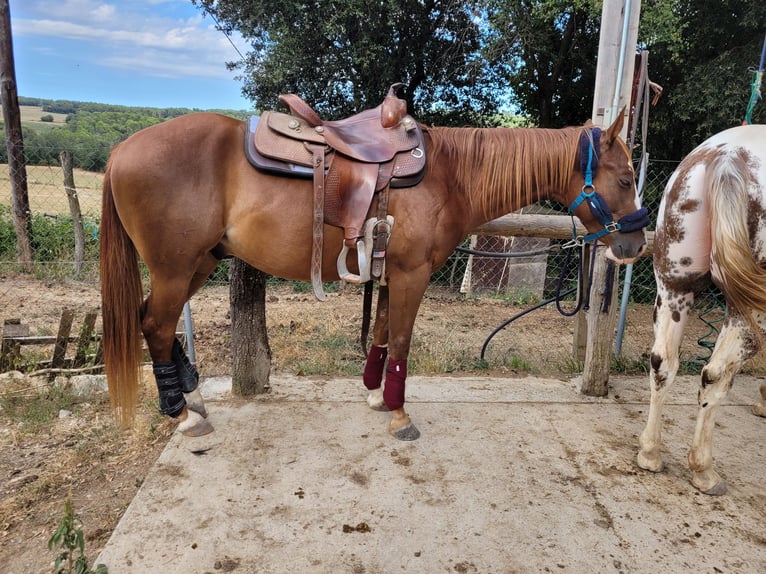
x: 519, y: 280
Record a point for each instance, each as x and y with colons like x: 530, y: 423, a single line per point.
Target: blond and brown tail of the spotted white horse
x: 743, y: 279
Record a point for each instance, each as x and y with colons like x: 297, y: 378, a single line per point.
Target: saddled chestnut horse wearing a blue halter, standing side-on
x: 180, y: 195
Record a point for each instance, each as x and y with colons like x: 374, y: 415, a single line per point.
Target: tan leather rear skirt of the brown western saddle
x: 273, y: 142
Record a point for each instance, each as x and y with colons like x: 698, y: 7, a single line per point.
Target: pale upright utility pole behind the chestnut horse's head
x: 614, y: 77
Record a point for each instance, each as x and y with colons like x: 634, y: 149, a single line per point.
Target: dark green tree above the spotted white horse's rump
x: 703, y: 53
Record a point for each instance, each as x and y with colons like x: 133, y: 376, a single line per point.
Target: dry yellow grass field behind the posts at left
x: 46, y: 190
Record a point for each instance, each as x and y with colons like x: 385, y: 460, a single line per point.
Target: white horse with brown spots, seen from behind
x: 711, y: 227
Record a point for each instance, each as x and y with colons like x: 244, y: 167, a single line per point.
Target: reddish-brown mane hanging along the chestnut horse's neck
x: 505, y: 167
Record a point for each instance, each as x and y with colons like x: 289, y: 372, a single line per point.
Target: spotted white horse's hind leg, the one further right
x: 734, y: 346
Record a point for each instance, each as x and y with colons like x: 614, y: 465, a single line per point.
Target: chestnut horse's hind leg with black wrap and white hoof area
x: 176, y: 377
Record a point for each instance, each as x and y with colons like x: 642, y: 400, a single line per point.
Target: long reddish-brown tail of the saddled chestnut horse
x: 121, y: 300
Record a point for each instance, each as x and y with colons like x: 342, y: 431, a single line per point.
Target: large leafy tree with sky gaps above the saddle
x: 342, y: 56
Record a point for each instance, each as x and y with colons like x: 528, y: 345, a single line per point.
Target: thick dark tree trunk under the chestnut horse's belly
x: 249, y: 339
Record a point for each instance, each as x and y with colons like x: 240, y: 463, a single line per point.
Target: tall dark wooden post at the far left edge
x: 22, y: 219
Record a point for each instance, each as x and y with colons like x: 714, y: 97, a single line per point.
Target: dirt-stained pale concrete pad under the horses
x: 510, y: 475
